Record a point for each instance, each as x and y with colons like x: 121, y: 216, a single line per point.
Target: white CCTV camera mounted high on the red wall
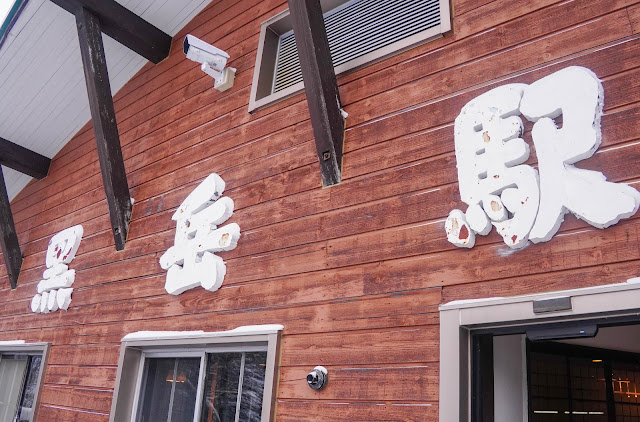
x: 213, y: 61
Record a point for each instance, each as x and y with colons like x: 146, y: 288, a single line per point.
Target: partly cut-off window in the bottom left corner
x: 20, y: 379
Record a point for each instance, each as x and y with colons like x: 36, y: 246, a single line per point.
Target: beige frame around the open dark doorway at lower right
x: 461, y: 320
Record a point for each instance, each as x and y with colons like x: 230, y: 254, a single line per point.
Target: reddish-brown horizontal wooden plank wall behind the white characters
x: 354, y: 272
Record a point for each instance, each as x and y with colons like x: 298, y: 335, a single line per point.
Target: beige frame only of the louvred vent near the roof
x: 274, y: 27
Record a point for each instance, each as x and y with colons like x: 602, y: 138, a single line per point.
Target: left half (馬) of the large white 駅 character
x: 492, y: 177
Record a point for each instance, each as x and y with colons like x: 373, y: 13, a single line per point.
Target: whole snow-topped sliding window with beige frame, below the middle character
x: 197, y: 377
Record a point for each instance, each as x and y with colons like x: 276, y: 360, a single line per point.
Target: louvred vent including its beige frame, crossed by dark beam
x: 359, y: 32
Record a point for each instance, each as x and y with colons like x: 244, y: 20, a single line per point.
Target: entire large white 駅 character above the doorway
x: 523, y: 203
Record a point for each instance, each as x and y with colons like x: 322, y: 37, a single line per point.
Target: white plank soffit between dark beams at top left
x: 44, y: 97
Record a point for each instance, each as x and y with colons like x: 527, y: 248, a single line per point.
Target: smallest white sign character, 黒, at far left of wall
x: 54, y: 292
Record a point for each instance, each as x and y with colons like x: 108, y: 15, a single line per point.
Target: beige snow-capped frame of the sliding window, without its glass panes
x: 133, y: 354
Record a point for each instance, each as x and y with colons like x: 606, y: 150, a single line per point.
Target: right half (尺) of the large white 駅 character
x: 576, y: 94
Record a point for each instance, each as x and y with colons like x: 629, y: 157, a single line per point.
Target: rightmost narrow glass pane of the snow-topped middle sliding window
x: 253, y: 386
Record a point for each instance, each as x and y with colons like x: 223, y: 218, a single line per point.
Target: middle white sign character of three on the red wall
x: 191, y: 261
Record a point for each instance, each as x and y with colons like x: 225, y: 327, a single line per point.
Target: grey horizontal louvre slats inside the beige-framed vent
x: 357, y: 28
